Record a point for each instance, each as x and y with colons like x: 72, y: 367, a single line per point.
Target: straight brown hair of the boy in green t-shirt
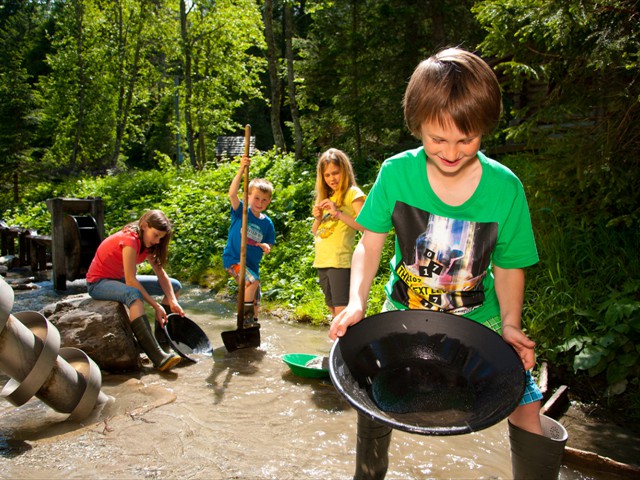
x: 453, y: 85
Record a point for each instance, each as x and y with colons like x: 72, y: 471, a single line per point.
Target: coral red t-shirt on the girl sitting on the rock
x: 107, y: 262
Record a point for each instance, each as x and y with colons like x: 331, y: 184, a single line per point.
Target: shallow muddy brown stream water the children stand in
x: 231, y: 415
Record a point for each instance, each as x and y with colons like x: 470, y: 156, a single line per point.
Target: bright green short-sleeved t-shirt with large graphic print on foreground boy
x: 444, y: 254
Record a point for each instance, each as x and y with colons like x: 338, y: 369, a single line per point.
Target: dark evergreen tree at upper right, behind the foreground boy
x: 574, y: 71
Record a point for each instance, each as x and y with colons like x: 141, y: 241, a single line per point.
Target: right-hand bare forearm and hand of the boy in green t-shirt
x: 509, y: 285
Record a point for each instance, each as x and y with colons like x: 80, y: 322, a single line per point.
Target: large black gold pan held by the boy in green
x: 427, y: 372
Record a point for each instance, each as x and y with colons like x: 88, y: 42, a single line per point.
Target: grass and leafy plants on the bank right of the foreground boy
x: 582, y: 302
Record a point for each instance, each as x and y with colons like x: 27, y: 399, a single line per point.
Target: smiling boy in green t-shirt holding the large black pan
x: 462, y: 224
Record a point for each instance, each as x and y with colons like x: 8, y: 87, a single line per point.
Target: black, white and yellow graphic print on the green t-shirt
x: 443, y: 260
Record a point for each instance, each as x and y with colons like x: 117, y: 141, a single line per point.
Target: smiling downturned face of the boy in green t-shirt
x: 449, y: 150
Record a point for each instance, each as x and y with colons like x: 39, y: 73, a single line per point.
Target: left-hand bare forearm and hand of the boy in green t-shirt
x: 364, y: 266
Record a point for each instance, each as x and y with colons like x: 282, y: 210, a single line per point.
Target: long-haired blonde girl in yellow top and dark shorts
x: 337, y: 204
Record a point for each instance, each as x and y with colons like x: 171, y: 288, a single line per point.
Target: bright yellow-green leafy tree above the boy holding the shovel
x: 226, y: 41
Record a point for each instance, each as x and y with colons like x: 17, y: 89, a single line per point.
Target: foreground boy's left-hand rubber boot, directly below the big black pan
x: 372, y: 449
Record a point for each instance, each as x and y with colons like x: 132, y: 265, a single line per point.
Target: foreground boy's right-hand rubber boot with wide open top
x: 537, y: 456
